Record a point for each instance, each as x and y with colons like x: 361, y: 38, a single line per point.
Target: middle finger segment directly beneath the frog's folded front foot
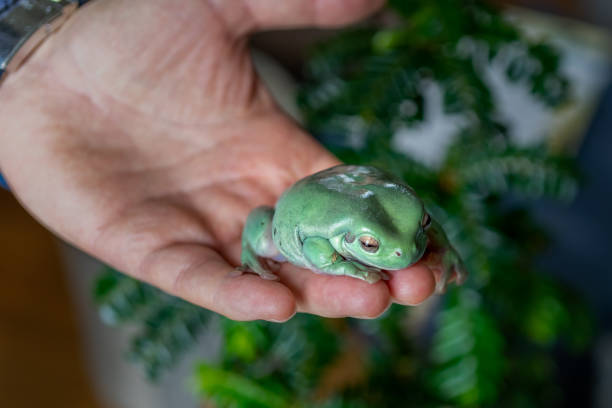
x: 335, y: 296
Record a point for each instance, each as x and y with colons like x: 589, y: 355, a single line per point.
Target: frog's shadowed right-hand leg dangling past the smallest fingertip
x: 451, y: 261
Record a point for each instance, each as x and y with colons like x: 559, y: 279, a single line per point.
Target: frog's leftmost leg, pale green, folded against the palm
x: 257, y: 243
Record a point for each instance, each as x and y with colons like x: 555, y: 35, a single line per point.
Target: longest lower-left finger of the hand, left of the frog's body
x: 200, y: 275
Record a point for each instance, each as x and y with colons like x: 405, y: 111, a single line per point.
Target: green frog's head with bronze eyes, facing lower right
x: 391, y: 250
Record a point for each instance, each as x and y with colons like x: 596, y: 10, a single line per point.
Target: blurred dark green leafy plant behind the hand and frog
x: 490, y: 342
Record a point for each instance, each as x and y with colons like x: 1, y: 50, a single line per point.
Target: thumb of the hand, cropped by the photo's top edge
x: 273, y: 14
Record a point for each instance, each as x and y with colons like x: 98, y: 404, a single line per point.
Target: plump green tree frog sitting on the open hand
x: 347, y: 220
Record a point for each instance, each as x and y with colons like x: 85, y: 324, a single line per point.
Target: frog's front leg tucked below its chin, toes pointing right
x: 322, y: 255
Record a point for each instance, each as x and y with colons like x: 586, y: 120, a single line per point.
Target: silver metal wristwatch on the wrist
x: 24, y: 24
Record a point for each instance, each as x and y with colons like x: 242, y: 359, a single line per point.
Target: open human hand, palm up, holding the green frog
x: 140, y: 133
